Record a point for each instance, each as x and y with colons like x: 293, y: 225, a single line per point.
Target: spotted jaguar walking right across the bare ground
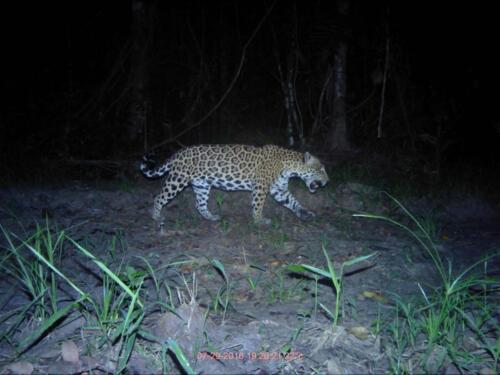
x: 261, y: 170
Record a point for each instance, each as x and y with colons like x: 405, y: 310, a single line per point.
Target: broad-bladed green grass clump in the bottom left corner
x: 114, y: 318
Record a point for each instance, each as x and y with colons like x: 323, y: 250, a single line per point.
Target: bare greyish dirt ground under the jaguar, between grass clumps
x: 272, y: 323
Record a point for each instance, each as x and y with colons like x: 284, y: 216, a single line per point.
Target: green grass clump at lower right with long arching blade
x: 439, y: 328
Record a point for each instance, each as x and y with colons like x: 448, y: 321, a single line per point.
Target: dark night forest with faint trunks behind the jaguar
x: 92, y: 84
